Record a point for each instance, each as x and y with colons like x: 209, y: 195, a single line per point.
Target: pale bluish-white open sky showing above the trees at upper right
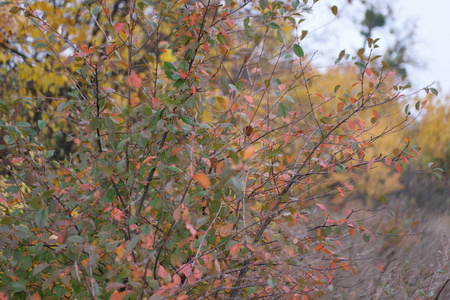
x: 431, y: 35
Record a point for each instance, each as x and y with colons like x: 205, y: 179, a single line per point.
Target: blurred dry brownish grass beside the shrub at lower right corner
x: 415, y: 261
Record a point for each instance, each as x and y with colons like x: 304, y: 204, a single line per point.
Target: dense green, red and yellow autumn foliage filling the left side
x: 180, y: 149
